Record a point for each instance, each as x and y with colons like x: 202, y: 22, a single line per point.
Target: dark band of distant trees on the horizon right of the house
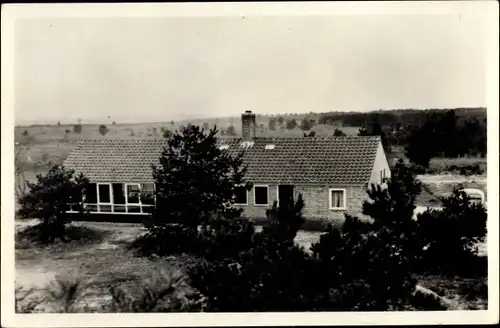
x: 424, y: 133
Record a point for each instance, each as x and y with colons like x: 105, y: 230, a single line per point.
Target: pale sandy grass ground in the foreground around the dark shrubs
x: 88, y: 261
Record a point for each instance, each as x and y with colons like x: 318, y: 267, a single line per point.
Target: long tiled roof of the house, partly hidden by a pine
x: 298, y: 161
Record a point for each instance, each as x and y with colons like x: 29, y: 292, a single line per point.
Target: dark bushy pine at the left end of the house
x: 50, y: 197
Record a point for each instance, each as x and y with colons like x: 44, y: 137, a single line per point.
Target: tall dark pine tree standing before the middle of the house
x: 195, y: 180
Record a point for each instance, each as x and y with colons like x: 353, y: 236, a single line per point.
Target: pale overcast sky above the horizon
x: 143, y: 69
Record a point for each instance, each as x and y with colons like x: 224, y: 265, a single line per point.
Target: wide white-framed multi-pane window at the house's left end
x: 133, y: 198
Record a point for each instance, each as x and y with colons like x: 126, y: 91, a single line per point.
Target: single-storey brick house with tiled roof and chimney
x: 331, y: 173
